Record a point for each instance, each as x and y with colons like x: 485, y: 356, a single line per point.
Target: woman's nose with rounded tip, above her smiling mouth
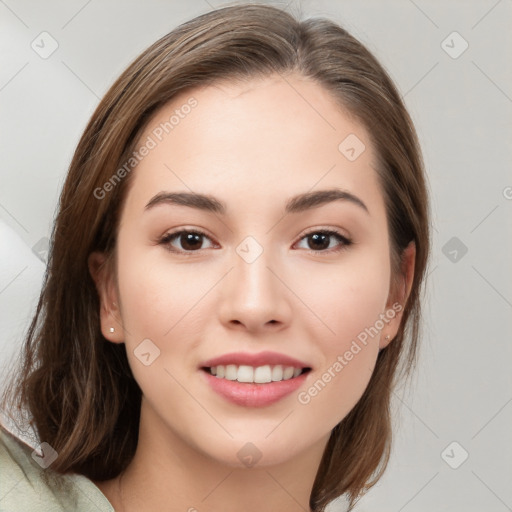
x: 254, y: 295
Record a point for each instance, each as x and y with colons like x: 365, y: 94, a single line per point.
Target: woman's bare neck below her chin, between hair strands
x: 167, y: 473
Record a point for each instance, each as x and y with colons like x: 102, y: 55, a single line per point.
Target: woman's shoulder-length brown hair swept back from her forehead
x: 77, y: 386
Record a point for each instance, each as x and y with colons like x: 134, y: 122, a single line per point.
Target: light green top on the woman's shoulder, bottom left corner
x: 26, y: 486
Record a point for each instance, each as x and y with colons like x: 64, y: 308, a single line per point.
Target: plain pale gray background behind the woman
x: 461, y: 104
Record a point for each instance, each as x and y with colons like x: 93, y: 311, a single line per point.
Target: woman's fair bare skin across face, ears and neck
x: 253, y: 146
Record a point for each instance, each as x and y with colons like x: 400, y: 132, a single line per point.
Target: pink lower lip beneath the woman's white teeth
x: 254, y: 395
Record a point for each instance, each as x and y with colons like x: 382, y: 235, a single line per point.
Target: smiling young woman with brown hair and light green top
x: 234, y: 281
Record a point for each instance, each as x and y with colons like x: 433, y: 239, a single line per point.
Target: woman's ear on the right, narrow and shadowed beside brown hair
x: 398, y: 295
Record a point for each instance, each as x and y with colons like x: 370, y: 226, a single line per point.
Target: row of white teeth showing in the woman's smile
x: 259, y: 375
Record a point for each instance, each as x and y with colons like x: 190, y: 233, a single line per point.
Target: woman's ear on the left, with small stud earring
x: 110, y: 318
